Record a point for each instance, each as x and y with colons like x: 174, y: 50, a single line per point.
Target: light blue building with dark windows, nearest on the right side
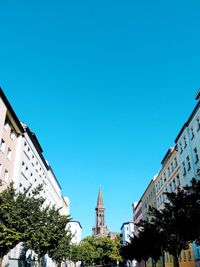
x: 188, y: 149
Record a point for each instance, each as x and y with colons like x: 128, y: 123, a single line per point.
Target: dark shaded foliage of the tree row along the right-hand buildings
x: 170, y: 229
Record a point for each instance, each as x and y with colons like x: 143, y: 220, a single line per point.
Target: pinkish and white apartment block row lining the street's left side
x: 22, y: 162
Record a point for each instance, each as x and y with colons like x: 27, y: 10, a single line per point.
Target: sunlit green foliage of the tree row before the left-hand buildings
x: 23, y: 218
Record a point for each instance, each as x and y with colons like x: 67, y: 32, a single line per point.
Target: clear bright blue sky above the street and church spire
x: 106, y: 86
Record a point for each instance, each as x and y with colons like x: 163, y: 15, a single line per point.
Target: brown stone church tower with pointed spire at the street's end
x: 100, y: 228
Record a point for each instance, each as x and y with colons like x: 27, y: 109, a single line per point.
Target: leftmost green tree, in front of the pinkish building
x: 16, y: 213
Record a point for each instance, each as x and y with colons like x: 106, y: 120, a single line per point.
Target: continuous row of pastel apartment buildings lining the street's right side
x: 180, y: 164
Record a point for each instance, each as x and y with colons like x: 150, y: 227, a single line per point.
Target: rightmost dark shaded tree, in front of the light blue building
x: 179, y: 220
